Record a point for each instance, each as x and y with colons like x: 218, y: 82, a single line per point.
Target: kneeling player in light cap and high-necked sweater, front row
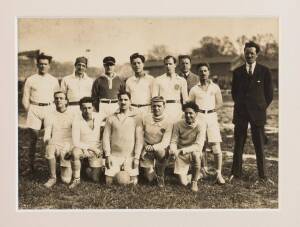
x: 157, y: 135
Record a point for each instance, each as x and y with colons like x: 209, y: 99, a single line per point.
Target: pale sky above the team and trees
x: 67, y: 38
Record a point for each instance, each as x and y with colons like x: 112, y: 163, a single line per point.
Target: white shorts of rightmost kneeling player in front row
x: 183, y: 162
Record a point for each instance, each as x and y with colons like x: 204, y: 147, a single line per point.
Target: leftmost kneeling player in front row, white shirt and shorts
x: 58, y: 139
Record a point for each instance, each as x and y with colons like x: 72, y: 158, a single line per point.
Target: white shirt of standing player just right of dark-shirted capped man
x: 140, y: 89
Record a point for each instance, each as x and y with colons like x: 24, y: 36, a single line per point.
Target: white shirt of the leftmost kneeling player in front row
x: 58, y: 127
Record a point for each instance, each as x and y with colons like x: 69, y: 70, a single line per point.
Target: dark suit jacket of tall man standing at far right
x: 251, y: 94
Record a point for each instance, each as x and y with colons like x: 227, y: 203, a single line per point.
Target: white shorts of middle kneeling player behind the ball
x: 117, y: 163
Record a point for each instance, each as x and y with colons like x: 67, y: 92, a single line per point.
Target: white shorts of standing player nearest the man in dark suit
x: 210, y: 120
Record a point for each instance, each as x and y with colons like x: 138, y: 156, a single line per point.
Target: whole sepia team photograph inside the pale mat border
x: 148, y: 113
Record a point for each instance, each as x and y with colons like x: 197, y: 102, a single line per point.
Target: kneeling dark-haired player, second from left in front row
x: 87, y: 142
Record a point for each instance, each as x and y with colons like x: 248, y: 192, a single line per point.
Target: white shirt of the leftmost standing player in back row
x: 40, y: 89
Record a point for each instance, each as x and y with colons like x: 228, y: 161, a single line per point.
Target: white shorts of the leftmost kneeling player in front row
x: 59, y: 150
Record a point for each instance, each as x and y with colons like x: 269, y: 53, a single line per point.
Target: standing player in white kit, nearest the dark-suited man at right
x: 207, y: 95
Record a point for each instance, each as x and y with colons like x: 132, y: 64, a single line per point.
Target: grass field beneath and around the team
x: 88, y: 195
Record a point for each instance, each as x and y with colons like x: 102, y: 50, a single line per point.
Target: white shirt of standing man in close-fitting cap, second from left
x: 76, y: 87
